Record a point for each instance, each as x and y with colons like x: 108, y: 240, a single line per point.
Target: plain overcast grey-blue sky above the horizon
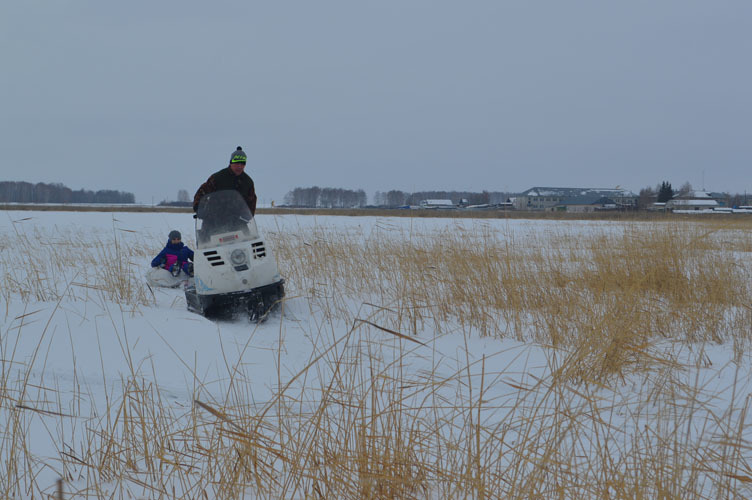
x: 152, y: 97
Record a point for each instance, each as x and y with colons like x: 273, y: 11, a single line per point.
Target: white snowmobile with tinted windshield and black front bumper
x: 234, y: 270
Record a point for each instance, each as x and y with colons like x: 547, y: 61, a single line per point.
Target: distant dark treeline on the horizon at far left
x: 26, y: 192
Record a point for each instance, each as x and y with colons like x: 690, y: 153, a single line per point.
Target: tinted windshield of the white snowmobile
x: 224, y: 218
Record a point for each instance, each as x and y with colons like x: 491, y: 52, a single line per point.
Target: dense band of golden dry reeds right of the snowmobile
x: 611, y: 290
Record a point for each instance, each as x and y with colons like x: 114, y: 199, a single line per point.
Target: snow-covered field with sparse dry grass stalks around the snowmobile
x: 121, y: 392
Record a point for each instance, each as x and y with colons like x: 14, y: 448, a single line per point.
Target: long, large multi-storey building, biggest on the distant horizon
x: 549, y: 198
